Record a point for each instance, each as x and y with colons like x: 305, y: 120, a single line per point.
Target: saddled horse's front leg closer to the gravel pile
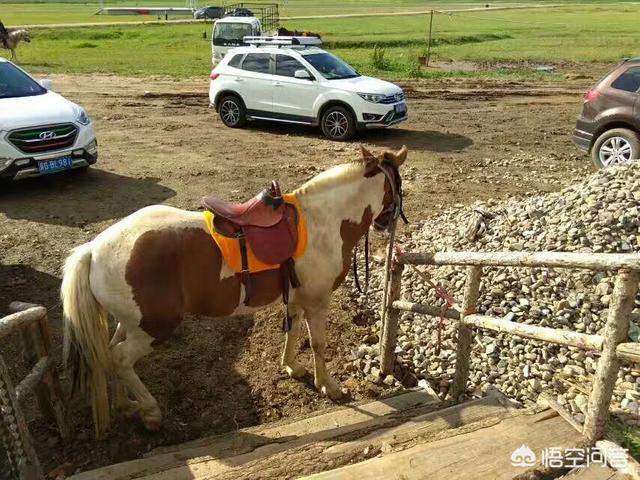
x: 316, y: 323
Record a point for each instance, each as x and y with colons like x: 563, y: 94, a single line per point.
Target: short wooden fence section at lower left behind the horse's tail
x: 32, y: 323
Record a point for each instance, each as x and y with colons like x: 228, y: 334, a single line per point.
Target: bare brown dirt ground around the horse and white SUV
x: 159, y: 143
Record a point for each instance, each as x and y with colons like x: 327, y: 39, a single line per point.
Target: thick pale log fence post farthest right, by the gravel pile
x: 615, y: 332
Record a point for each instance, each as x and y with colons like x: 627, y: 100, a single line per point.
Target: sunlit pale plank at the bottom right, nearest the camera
x: 483, y: 453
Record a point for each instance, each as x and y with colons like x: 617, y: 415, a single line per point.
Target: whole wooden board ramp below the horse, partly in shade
x: 408, y: 434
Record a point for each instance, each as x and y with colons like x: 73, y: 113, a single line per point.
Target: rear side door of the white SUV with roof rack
x: 254, y: 83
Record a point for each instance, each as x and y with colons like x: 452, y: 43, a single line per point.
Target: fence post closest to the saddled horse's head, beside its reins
x: 389, y: 335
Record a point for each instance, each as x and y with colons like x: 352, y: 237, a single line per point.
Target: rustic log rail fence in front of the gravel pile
x: 610, y: 345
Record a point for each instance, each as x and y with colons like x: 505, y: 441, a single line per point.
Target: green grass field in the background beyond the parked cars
x: 590, y: 33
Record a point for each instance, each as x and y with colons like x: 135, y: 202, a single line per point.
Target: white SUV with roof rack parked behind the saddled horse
x: 277, y: 80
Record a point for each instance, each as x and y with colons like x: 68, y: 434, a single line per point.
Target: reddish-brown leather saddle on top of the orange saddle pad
x: 268, y: 225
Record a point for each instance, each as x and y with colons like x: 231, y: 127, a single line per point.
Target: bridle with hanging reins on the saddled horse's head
x: 394, y: 210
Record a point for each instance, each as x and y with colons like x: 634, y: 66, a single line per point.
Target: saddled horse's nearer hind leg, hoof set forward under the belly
x: 125, y: 354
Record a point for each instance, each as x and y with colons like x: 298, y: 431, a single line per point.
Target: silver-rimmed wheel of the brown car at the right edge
x: 615, y: 147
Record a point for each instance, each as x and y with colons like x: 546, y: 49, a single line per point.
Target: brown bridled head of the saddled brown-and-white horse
x: 387, y: 164
